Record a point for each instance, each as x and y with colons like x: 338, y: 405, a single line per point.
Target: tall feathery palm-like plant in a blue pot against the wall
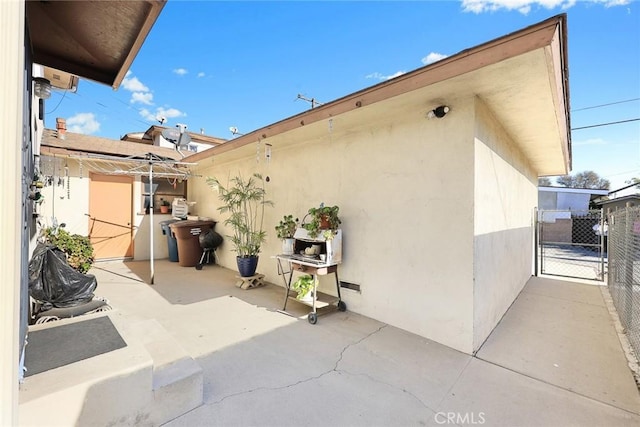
x: 244, y: 200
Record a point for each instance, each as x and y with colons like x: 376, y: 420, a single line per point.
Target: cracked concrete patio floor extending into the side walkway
x: 554, y: 360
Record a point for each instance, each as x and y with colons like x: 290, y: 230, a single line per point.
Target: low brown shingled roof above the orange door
x: 76, y: 144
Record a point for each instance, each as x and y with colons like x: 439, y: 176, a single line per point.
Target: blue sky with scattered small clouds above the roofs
x: 216, y: 64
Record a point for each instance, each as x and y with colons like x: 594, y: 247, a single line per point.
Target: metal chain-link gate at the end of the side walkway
x: 572, y: 244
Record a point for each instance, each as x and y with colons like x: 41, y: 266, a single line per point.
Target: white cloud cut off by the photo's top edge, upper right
x: 524, y: 6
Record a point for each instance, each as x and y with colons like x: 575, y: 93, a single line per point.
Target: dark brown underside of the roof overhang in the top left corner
x: 93, y: 39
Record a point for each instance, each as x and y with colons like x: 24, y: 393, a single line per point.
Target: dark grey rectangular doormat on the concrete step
x: 61, y: 345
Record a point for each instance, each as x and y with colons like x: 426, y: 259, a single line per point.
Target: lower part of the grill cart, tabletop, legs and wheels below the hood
x: 287, y: 264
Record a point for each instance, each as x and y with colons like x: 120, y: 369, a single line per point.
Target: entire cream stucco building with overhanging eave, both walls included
x: 437, y: 211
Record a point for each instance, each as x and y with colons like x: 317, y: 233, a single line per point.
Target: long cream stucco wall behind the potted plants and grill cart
x: 404, y: 185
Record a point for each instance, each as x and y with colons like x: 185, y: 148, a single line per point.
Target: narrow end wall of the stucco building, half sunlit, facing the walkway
x: 505, y: 196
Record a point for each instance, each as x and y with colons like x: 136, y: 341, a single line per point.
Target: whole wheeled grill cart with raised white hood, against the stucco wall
x: 321, y: 264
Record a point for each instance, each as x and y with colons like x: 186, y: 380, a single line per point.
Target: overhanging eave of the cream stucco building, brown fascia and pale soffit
x: 521, y: 77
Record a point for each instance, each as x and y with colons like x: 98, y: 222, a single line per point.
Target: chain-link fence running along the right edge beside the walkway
x: 624, y: 270
